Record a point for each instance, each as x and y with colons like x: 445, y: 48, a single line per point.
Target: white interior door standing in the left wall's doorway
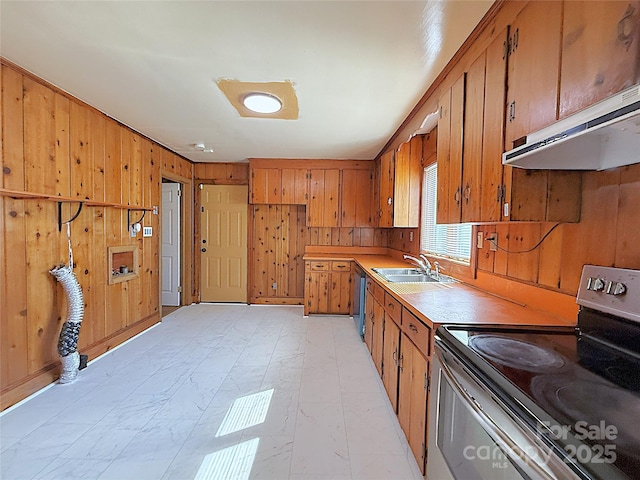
x: 171, y: 244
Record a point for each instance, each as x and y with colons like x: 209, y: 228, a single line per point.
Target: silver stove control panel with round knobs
x: 611, y: 290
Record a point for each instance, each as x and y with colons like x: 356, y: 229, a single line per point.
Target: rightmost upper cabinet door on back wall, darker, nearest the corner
x: 356, y: 199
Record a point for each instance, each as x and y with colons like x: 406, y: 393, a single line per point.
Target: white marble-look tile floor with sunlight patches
x: 216, y: 392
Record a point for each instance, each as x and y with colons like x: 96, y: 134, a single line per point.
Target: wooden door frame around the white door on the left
x: 186, y: 234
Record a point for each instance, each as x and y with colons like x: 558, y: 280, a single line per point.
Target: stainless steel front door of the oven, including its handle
x: 473, y: 435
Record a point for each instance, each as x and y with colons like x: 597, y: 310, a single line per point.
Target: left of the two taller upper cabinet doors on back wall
x: 324, y: 196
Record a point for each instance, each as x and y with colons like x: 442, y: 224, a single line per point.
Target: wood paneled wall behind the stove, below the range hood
x: 606, y: 235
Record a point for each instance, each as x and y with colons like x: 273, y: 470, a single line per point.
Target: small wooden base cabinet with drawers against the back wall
x: 327, y: 287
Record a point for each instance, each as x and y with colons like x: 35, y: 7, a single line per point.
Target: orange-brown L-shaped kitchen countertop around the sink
x: 450, y: 303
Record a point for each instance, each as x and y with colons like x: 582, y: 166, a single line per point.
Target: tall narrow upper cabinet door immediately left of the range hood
x: 493, y: 130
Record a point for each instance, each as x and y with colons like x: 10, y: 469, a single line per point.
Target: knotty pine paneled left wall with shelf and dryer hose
x: 53, y: 144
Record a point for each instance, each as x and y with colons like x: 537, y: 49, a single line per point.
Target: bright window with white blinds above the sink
x: 452, y: 241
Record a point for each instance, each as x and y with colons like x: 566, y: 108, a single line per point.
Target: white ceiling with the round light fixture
x: 358, y: 67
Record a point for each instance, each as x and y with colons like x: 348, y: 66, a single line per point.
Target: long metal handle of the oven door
x: 504, y: 442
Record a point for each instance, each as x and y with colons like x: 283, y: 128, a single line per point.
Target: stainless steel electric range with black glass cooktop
x: 542, y: 403
